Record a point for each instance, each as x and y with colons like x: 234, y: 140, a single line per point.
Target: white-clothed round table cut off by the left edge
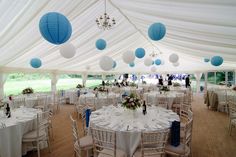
x: 22, y: 121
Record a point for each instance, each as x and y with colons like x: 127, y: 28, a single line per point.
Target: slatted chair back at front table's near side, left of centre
x: 104, y: 139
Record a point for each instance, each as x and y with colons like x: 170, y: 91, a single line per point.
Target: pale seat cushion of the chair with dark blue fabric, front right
x: 178, y: 150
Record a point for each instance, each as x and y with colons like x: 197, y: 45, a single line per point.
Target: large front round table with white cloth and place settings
x: 128, y: 124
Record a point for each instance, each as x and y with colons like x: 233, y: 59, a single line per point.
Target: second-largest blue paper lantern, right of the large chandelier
x: 156, y: 31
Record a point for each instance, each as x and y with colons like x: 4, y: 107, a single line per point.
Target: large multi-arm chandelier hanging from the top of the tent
x: 104, y: 21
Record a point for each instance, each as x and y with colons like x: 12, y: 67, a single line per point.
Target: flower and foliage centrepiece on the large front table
x: 132, y: 102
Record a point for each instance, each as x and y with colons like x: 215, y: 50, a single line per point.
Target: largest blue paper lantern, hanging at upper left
x: 55, y: 28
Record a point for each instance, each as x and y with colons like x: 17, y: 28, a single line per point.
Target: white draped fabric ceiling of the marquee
x: 195, y: 29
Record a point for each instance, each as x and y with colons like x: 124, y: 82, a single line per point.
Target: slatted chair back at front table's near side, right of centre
x: 153, y: 143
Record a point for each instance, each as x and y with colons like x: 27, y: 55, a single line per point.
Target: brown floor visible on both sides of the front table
x: 210, y: 133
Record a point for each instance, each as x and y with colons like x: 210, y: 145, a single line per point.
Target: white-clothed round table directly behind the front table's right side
x: 170, y: 96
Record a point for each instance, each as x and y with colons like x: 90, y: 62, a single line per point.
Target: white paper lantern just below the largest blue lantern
x: 67, y: 50
